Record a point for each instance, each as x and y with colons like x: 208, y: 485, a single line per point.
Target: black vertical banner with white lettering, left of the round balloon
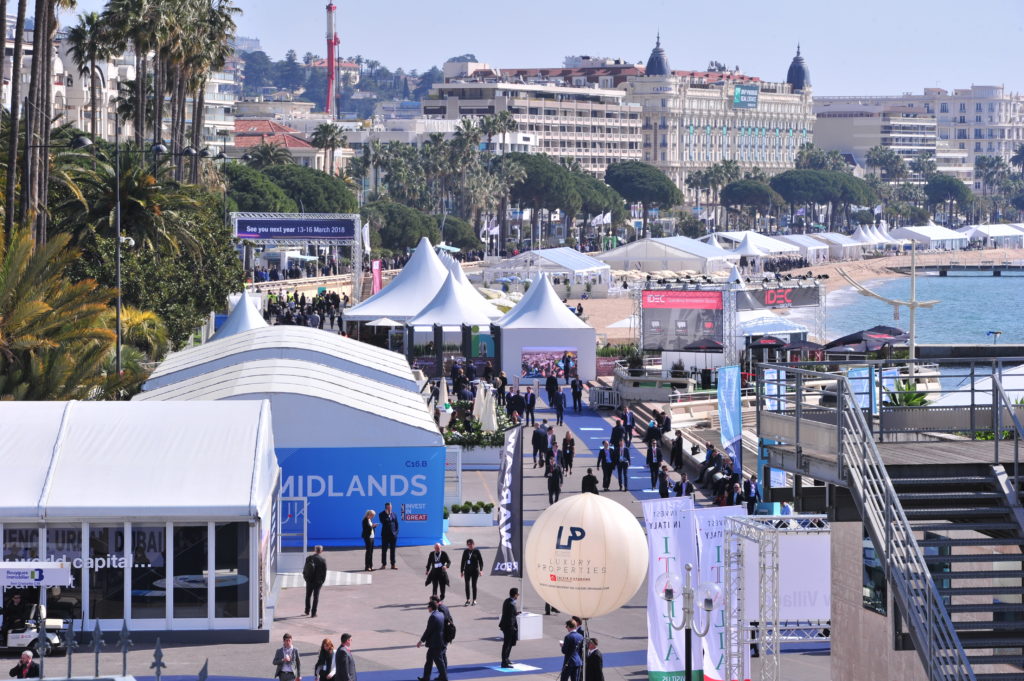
x: 508, y: 563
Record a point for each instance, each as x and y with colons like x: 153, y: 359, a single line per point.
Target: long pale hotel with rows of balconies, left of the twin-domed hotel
x: 594, y: 125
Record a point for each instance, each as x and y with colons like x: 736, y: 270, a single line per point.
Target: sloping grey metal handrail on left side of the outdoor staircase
x: 929, y: 623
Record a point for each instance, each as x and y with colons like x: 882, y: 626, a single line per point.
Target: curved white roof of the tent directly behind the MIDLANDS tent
x: 286, y: 343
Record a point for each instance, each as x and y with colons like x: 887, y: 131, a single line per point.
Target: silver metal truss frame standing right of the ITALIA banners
x: 764, y: 532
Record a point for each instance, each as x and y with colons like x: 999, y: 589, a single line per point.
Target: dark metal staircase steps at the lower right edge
x: 972, y: 542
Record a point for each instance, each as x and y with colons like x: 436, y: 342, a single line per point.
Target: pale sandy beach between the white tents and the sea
x: 601, y: 314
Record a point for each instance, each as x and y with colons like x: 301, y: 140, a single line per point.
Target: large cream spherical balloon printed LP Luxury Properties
x: 586, y: 556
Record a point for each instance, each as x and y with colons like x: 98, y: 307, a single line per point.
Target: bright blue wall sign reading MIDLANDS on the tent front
x: 340, y: 485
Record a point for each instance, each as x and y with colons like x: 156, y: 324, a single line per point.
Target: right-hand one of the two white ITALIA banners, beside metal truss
x: 711, y: 552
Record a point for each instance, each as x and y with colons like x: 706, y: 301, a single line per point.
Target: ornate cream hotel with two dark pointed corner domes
x: 693, y: 120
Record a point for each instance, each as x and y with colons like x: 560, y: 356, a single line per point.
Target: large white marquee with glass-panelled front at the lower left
x: 160, y: 497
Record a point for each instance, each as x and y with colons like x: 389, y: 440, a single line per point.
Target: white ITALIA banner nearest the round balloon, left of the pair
x: 672, y: 543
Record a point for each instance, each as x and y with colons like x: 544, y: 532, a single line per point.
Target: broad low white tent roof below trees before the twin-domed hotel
x: 675, y: 253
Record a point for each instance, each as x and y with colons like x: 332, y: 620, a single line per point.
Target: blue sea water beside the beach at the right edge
x: 970, y: 308
